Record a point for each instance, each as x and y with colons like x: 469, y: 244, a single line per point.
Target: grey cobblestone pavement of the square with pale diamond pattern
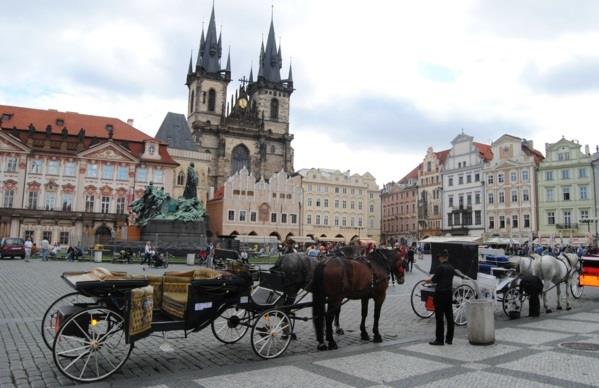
x: 527, y: 351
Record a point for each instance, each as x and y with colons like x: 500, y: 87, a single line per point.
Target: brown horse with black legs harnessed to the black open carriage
x: 363, y: 278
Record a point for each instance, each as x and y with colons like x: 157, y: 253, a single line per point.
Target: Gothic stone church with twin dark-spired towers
x: 252, y: 129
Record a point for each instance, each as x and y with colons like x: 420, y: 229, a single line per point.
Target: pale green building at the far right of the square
x: 566, y: 191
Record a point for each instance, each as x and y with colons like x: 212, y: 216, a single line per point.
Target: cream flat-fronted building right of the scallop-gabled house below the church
x: 339, y: 206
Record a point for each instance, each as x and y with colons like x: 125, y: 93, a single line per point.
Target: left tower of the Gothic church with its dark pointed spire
x: 208, y: 82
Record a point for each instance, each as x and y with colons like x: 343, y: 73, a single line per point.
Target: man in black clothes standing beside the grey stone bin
x: 442, y: 278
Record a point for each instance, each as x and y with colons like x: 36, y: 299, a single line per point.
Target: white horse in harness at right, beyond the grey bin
x: 550, y: 270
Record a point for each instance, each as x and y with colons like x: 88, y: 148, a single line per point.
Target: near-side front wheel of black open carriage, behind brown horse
x: 271, y: 334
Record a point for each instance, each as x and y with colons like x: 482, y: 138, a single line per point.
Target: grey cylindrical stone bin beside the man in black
x: 481, y: 321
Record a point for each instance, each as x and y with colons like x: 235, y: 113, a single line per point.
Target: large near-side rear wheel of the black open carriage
x: 91, y: 345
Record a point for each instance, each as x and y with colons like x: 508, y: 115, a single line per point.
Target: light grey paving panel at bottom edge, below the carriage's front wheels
x: 270, y: 377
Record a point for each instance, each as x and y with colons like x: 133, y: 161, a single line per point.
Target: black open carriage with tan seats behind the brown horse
x: 92, y: 331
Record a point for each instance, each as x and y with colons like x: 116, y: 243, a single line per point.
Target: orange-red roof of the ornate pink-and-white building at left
x: 94, y: 125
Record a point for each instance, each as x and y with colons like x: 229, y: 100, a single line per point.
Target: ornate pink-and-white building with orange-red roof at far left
x: 69, y: 177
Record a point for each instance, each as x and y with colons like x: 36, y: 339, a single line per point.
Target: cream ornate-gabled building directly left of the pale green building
x: 511, y: 188
